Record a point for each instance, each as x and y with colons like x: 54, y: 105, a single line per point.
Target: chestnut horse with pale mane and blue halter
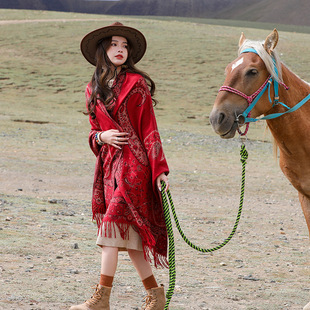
x: 280, y: 97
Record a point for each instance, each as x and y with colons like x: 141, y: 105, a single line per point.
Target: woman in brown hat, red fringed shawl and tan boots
x: 130, y: 161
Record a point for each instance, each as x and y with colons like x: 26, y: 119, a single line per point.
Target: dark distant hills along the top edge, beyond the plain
x: 291, y: 12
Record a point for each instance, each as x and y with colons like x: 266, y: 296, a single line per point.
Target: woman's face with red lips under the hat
x: 118, y: 51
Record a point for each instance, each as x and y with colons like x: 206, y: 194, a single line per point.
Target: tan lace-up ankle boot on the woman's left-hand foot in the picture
x: 99, y: 301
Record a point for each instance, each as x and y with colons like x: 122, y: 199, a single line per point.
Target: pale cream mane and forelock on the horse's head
x: 267, y: 59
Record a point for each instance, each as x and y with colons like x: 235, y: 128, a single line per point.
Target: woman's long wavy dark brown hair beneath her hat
x: 105, y: 71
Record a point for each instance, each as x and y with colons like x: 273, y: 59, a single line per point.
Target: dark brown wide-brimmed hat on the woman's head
x: 135, y: 37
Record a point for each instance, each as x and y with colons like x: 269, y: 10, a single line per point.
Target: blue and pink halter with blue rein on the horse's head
x: 253, y: 99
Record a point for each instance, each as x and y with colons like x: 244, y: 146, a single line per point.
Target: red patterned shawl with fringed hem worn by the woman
x: 124, y: 190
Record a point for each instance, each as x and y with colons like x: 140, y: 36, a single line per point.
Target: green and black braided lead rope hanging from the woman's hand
x: 172, y: 271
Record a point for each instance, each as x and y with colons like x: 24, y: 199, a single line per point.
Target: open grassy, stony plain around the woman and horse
x: 47, y: 167
